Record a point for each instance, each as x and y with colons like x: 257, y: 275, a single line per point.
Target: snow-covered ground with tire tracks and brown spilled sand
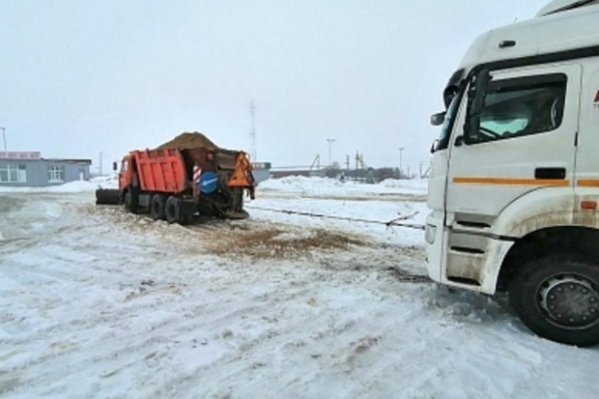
x: 96, y: 303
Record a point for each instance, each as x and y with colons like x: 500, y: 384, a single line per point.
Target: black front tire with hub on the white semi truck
x: 557, y: 297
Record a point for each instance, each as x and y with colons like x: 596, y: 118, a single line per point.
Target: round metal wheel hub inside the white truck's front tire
x: 570, y: 301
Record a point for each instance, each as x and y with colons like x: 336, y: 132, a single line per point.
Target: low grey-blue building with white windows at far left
x: 29, y: 169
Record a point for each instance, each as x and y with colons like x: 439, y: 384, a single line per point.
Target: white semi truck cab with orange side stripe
x: 514, y: 188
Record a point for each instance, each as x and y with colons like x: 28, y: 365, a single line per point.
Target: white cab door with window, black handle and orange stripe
x: 524, y: 141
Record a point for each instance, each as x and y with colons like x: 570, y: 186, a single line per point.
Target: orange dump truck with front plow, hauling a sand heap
x: 175, y: 184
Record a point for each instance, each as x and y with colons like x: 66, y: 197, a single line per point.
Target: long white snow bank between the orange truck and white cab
x: 326, y: 186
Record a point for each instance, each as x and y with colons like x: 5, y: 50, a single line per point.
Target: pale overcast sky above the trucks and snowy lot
x: 80, y: 77
